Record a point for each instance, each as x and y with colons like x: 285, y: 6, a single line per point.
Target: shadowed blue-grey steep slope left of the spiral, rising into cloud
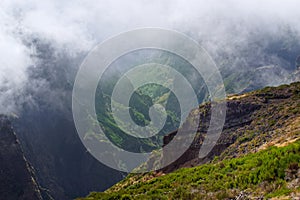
x: 47, y: 133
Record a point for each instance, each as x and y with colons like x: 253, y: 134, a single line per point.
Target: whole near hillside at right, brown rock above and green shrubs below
x: 256, y: 157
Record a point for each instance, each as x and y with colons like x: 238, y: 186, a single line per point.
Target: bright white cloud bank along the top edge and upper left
x: 78, y: 25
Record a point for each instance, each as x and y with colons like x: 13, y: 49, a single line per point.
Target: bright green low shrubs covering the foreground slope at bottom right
x: 261, y: 173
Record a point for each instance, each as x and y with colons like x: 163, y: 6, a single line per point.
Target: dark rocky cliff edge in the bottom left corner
x: 16, y: 177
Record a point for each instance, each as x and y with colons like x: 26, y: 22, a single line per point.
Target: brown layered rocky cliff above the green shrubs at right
x: 252, y: 120
